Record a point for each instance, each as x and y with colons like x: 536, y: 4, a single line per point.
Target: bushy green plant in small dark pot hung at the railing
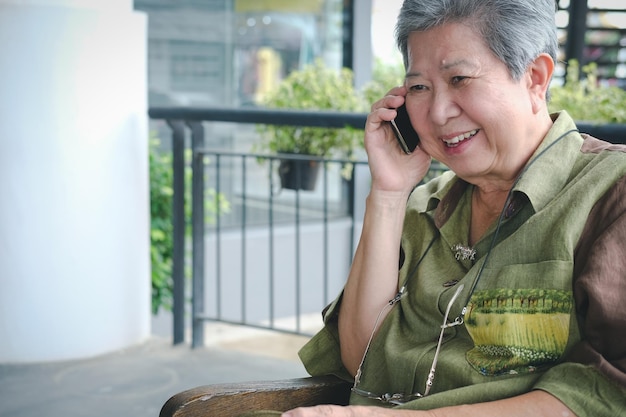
x: 314, y: 87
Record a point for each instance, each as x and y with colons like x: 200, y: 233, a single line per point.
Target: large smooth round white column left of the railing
x: 74, y: 197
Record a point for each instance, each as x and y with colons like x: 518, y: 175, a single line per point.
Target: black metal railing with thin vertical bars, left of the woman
x: 183, y: 120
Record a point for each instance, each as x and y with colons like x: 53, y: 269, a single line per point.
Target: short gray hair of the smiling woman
x: 516, y: 31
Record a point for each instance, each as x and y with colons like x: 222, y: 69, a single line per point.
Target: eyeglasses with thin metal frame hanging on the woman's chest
x: 397, y: 398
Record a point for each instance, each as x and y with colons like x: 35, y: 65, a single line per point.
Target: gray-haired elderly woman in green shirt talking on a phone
x: 496, y: 289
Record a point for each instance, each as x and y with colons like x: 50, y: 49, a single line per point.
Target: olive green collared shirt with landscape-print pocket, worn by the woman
x: 524, y: 325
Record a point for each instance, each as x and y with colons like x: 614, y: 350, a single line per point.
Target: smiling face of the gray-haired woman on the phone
x: 469, y: 113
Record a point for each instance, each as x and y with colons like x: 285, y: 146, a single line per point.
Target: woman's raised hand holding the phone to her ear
x: 392, y: 170
